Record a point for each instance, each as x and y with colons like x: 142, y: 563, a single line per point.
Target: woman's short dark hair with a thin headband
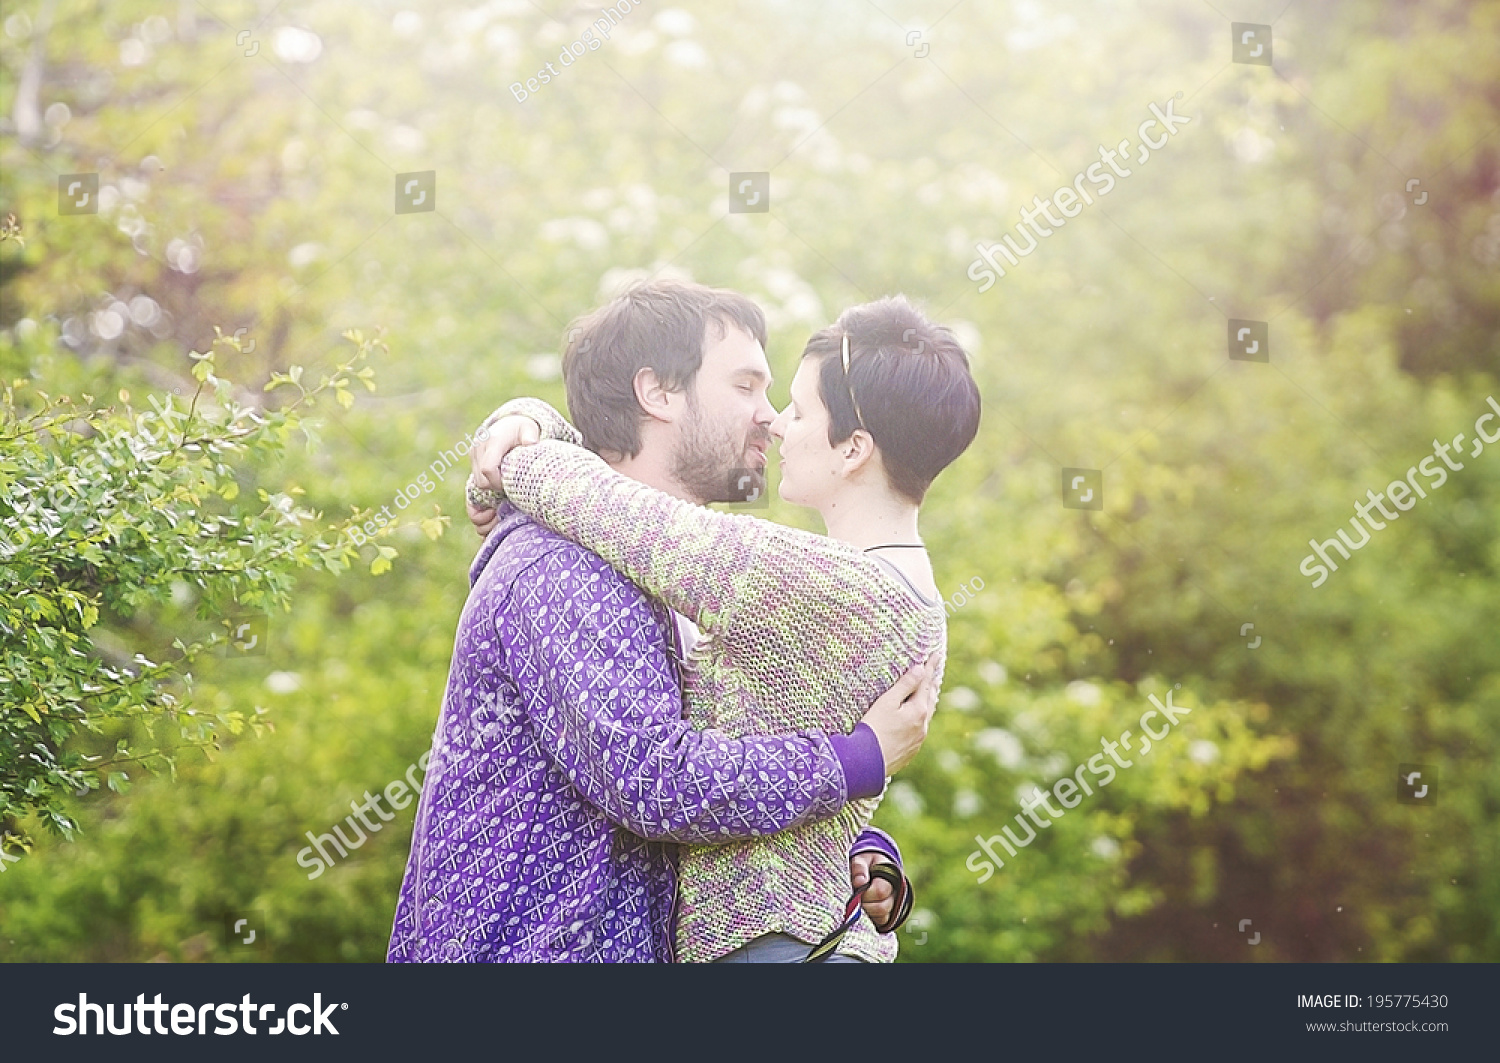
x: 911, y: 383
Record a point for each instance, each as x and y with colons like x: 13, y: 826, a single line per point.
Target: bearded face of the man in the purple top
x: 721, y: 452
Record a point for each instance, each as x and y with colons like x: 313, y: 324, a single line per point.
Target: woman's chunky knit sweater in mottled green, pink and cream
x: 800, y: 632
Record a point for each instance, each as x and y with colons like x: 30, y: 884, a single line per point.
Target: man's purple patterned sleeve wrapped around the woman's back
x: 604, y: 702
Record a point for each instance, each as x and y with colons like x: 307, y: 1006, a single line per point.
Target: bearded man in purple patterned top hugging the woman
x: 562, y: 768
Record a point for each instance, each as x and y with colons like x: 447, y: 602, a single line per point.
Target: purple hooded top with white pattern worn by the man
x: 562, y: 771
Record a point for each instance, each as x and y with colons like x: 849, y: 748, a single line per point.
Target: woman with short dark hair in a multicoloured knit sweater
x: 799, y: 630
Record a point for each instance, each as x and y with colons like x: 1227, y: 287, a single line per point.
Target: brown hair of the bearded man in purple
x: 656, y: 325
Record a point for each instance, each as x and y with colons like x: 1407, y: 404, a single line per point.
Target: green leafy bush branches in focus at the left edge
x: 107, y: 514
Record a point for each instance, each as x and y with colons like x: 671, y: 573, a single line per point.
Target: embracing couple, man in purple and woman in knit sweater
x: 667, y: 728
